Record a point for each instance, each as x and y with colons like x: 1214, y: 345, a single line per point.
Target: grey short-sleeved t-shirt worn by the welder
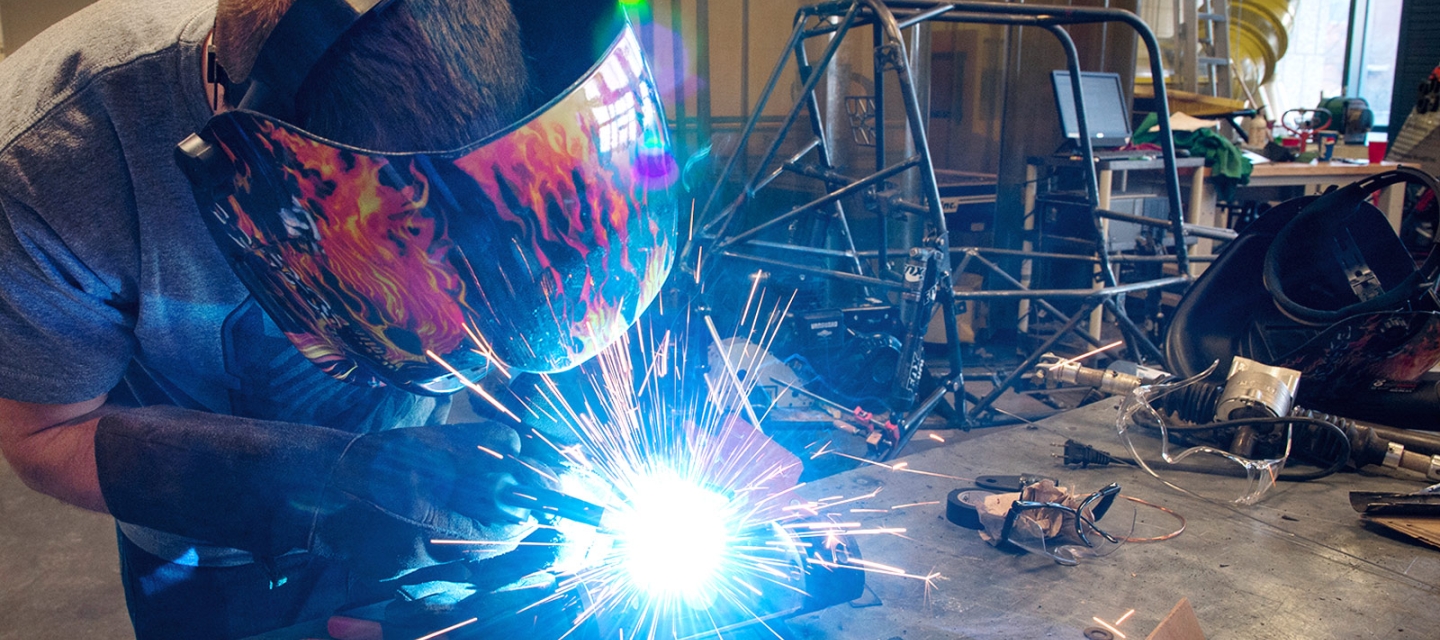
x: 109, y: 277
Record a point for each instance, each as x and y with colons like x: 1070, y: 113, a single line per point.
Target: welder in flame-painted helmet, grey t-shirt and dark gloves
x: 247, y: 252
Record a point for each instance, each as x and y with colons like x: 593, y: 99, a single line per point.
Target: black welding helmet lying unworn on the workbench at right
x: 1324, y: 286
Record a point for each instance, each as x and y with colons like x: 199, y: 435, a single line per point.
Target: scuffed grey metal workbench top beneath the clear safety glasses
x: 1298, y: 566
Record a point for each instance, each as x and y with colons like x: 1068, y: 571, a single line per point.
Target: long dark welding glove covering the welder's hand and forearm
x: 374, y: 501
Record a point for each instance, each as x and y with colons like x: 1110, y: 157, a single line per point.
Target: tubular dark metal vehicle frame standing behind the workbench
x: 927, y: 285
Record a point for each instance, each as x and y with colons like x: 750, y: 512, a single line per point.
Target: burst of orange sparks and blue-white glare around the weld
x: 703, y: 531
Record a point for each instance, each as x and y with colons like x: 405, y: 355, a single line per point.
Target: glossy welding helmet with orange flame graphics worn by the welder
x: 535, y: 247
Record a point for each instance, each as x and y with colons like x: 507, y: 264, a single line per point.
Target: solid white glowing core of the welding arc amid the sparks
x: 673, y: 537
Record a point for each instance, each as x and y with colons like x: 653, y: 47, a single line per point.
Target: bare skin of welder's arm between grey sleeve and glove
x: 53, y: 449
